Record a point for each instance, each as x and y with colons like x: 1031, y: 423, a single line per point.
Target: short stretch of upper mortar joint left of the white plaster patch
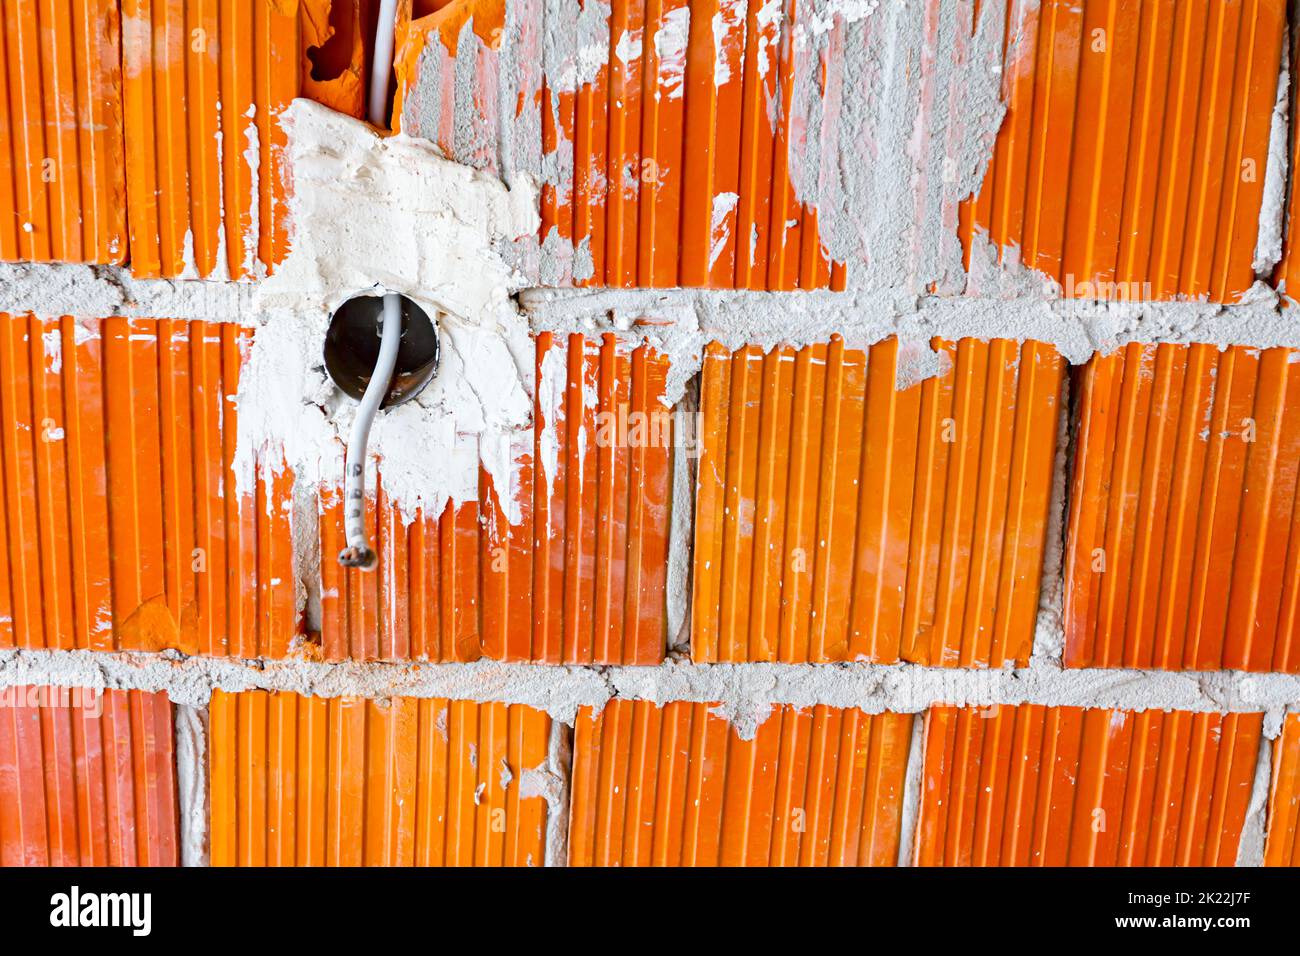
x: 105, y: 291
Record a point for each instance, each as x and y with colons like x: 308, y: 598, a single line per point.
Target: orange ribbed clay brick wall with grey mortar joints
x: 834, y: 613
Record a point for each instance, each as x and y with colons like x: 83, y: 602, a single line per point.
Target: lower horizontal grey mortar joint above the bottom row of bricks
x: 744, y: 693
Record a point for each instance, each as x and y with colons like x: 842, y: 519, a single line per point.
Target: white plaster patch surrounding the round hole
x: 371, y: 214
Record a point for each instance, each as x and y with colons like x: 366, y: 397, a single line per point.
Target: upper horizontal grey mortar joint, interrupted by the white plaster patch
x: 691, y: 317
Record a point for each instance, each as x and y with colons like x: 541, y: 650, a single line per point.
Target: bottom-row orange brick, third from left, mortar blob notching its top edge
x: 677, y: 786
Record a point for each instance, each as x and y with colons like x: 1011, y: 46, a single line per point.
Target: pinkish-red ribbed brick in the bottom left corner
x: 86, y: 778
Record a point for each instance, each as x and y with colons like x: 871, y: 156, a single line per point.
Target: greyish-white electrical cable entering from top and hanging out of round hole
x: 358, y: 552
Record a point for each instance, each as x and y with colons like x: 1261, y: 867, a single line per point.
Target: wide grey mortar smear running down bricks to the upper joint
x: 885, y: 150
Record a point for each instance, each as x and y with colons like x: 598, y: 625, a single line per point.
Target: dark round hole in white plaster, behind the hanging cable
x: 353, y: 348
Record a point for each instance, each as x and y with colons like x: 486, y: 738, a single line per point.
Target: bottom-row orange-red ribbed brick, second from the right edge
x: 1035, y: 786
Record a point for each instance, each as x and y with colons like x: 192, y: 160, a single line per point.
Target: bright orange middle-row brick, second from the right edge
x: 842, y: 520
